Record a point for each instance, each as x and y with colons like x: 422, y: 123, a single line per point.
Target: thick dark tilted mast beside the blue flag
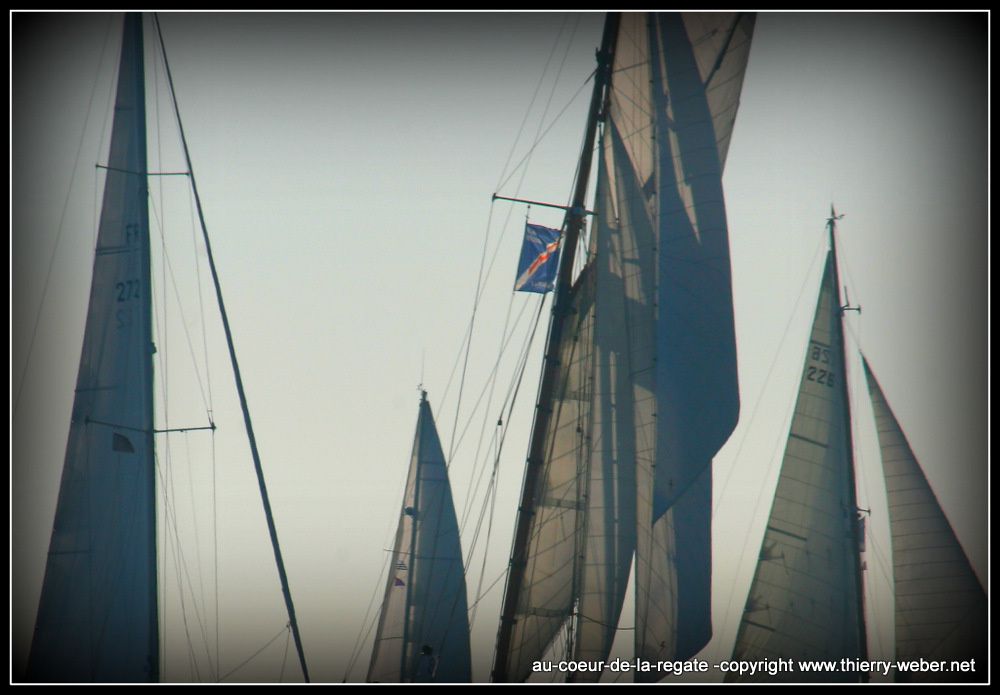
x: 573, y: 223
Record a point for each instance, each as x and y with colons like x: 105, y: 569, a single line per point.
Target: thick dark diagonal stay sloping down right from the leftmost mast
x: 236, y: 372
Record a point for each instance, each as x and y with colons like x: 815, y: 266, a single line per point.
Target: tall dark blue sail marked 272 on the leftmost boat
x: 97, y: 618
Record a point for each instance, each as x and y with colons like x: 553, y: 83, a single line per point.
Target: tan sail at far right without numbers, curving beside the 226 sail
x: 941, y: 607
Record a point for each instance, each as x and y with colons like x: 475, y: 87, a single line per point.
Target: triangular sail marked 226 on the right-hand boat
x: 804, y: 600
